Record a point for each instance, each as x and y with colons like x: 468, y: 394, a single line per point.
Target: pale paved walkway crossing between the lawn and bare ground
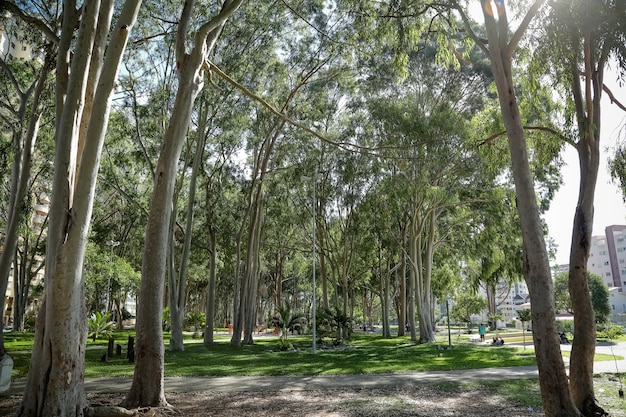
x: 296, y: 383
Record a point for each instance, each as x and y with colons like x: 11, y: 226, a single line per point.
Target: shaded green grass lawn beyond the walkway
x: 363, y: 354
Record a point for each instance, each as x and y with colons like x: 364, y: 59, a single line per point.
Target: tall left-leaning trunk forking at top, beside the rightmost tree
x: 553, y: 380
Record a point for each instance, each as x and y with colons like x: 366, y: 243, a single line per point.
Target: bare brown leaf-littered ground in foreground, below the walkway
x: 413, y: 401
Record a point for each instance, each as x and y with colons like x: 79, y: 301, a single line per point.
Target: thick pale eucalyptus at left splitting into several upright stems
x: 85, y: 77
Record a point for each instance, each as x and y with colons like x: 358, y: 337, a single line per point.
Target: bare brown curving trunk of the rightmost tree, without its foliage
x: 587, y: 106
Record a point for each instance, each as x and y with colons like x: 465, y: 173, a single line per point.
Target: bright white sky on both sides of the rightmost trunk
x: 610, y: 208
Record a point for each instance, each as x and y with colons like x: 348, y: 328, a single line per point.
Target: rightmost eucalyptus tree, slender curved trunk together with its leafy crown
x: 582, y: 38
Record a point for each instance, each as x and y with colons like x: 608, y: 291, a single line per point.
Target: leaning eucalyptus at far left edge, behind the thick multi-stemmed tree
x: 26, y: 91
